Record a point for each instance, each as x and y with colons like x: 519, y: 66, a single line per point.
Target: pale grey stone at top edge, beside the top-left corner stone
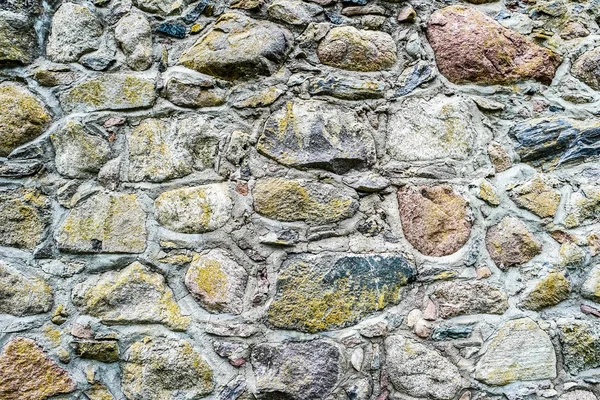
x: 76, y: 30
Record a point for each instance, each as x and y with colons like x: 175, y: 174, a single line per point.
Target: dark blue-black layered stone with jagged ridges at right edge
x: 555, y: 141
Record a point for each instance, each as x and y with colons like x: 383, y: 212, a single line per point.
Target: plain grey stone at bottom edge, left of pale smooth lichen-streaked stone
x: 420, y: 371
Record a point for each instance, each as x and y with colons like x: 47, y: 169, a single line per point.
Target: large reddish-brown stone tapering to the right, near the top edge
x: 471, y: 47
